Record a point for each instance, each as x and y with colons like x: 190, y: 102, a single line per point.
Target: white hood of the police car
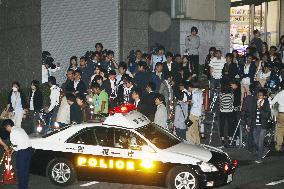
x: 191, y: 150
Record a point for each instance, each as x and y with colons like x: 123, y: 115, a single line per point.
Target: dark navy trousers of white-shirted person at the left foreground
x: 23, y: 159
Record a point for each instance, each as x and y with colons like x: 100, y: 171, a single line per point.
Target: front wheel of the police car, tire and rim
x: 182, y: 177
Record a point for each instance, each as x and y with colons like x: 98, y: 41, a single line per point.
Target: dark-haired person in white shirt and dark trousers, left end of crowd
x: 54, y: 97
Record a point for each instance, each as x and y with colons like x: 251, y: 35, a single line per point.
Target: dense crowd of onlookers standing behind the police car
x: 166, y: 88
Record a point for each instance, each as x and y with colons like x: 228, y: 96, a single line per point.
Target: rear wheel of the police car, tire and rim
x: 61, y: 172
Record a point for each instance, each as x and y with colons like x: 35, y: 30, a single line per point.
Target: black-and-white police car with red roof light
x: 127, y: 148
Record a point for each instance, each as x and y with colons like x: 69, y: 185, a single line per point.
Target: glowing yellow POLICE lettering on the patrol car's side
x: 106, y: 164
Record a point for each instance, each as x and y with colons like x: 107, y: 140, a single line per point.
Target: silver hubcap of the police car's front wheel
x: 185, y: 180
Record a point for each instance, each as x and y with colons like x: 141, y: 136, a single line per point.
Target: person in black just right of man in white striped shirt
x: 230, y: 69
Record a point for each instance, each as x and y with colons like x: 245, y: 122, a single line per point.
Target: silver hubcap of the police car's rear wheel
x: 61, y: 173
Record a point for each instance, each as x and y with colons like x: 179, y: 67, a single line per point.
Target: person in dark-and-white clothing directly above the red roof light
x: 124, y: 91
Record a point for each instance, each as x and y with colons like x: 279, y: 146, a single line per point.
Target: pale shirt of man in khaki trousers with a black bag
x: 197, y: 100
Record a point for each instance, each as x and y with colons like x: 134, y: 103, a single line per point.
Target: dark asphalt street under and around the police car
x: 249, y: 175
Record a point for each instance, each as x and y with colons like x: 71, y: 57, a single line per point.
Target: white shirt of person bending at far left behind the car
x: 19, y: 138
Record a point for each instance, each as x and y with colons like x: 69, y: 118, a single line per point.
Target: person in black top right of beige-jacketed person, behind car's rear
x: 76, y: 115
